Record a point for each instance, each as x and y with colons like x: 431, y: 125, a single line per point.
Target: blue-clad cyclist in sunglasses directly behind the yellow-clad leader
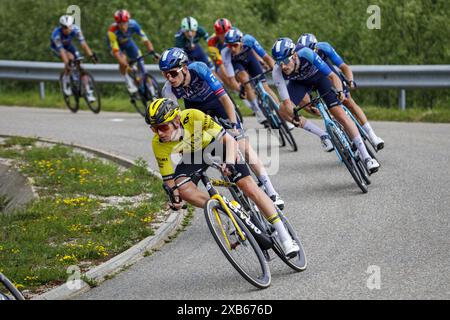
x: 200, y: 89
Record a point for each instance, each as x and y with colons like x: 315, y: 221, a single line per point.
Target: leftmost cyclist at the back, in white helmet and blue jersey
x: 62, y: 47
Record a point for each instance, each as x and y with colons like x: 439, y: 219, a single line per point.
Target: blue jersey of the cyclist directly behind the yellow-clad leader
x: 204, y: 87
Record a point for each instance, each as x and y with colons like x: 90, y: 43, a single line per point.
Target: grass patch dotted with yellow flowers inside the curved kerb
x: 73, y: 223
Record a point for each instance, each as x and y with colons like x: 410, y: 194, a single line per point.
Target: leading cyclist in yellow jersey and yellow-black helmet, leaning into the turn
x: 190, y: 132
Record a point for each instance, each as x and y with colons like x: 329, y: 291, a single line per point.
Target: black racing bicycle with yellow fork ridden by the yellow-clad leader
x: 241, y: 232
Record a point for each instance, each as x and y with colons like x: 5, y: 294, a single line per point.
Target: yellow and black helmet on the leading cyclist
x: 160, y: 111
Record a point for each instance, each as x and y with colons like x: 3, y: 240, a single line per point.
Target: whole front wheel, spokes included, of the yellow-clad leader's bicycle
x: 244, y: 255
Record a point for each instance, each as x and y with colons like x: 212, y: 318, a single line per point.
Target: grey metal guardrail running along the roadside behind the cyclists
x: 384, y: 77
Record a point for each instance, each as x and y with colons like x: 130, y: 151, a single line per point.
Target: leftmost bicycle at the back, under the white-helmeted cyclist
x: 82, y: 85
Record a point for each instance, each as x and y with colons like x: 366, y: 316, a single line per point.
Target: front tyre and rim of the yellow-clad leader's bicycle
x: 262, y: 278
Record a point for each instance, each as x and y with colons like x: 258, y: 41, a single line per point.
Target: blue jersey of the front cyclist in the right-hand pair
x: 310, y: 65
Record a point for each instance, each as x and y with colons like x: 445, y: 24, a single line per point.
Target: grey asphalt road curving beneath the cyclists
x: 395, y: 238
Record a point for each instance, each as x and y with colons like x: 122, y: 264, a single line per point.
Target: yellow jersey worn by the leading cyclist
x: 199, y: 130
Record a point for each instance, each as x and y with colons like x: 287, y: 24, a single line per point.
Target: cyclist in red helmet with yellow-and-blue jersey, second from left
x: 122, y: 45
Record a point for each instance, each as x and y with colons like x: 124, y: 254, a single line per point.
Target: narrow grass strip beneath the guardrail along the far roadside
x: 120, y: 103
